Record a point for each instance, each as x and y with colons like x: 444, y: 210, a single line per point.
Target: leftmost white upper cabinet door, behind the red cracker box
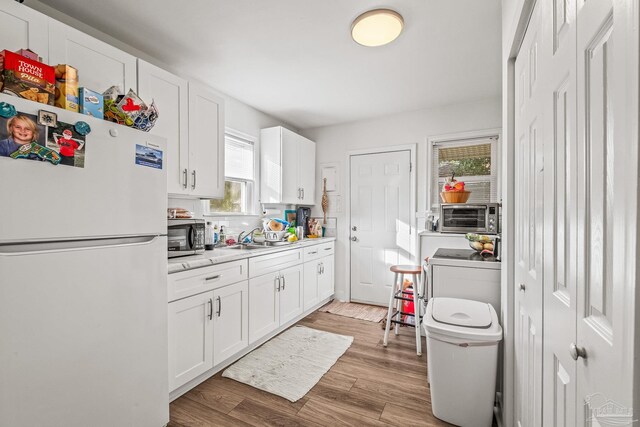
x: 24, y: 28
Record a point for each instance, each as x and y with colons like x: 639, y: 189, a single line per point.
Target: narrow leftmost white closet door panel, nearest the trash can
x: 529, y: 221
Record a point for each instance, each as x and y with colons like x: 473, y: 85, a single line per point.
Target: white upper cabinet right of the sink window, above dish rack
x: 288, y: 167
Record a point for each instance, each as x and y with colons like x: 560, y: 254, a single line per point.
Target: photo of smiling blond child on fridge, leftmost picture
x: 21, y: 137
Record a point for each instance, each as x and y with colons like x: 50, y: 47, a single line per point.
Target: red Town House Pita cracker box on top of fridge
x: 26, y: 78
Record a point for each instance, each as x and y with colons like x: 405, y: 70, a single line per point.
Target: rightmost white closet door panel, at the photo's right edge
x: 607, y: 51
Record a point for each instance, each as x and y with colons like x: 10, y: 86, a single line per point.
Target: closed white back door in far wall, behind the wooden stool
x: 380, y: 222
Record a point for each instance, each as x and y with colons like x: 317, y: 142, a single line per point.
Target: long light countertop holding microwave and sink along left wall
x: 220, y: 255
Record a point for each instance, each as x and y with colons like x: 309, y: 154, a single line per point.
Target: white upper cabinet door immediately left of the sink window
x: 206, y: 143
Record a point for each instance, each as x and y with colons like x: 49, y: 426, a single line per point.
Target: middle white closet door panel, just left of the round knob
x: 559, y: 369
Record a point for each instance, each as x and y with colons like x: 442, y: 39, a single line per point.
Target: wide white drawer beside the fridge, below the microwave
x: 192, y: 282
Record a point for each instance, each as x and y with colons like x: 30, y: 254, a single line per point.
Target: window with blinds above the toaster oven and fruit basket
x: 472, y: 161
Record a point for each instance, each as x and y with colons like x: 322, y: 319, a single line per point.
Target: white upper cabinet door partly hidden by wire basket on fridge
x: 171, y: 96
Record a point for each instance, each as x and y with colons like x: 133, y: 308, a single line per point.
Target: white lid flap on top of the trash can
x: 462, y: 312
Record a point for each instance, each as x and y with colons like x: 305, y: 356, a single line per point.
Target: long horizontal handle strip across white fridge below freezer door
x: 73, y: 245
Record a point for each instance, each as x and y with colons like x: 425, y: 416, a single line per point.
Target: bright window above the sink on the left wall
x: 239, y: 166
